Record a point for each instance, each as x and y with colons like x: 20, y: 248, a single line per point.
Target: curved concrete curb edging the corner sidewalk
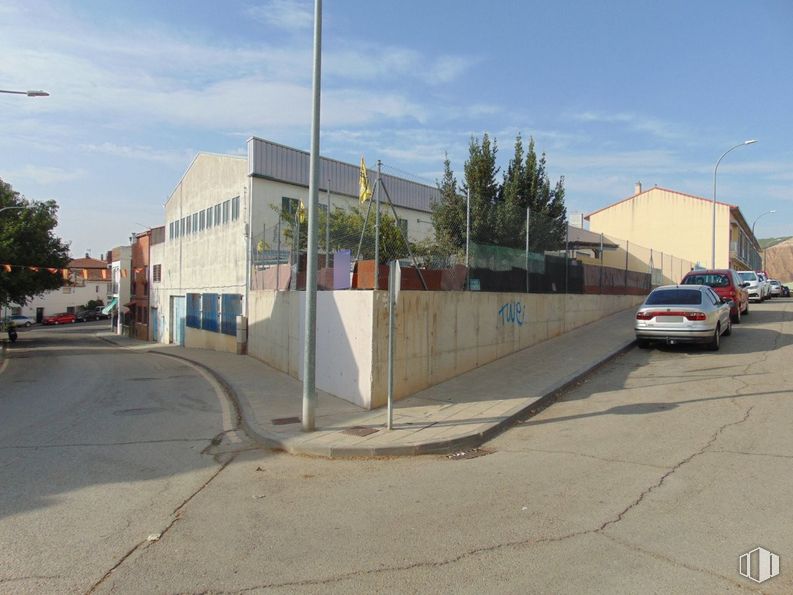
x: 451, y: 445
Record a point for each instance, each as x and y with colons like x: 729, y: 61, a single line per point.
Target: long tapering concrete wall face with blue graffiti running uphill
x: 443, y: 334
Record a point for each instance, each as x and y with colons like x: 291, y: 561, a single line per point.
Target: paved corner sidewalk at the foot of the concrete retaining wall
x: 457, y: 414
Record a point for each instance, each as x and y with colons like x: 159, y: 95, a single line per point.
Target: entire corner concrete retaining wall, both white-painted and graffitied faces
x: 440, y: 334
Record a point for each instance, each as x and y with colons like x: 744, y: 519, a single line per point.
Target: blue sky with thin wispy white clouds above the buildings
x: 613, y: 92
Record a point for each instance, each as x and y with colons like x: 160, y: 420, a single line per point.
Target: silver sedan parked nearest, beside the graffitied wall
x: 683, y: 314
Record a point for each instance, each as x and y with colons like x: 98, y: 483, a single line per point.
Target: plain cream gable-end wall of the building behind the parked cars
x: 669, y: 222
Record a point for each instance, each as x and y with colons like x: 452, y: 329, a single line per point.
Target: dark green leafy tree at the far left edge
x: 27, y: 238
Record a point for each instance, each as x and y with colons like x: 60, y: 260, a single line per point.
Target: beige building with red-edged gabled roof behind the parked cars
x: 681, y: 225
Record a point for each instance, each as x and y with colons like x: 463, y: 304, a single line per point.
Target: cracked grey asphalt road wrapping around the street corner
x: 652, y: 476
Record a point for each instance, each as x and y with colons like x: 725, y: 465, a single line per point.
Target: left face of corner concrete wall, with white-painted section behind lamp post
x: 344, y: 338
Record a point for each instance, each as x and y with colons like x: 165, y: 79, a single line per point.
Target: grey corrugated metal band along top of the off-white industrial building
x: 276, y: 162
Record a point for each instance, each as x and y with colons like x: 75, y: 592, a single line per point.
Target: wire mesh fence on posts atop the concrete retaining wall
x: 529, y: 251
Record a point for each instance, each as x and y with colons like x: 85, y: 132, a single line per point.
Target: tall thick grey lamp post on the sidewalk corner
x: 310, y: 340
